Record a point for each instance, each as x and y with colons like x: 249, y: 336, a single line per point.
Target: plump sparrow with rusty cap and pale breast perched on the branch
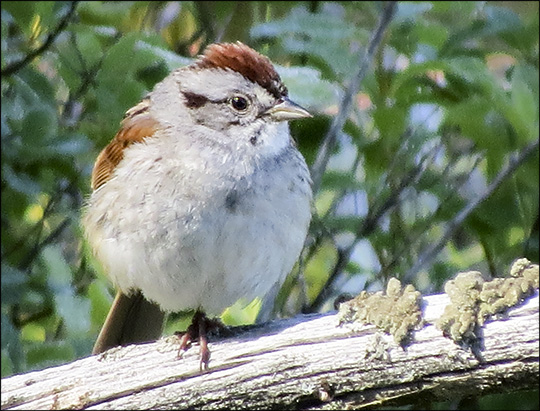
x: 201, y: 199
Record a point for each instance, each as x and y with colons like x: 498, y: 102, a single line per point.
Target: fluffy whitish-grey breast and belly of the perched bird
x: 192, y: 236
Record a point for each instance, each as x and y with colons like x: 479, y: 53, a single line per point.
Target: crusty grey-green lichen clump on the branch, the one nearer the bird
x: 397, y: 311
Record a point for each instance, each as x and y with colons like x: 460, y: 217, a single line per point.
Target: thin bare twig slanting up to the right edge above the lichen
x: 431, y: 252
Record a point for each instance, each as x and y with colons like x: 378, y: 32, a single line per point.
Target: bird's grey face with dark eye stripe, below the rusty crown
x: 232, y: 106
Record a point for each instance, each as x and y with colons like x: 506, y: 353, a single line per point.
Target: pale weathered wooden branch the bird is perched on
x: 306, y: 362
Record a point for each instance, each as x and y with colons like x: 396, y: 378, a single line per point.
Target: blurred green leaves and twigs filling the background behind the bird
x: 448, y: 98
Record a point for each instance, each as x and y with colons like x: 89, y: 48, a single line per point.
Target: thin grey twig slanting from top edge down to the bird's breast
x: 319, y: 166
